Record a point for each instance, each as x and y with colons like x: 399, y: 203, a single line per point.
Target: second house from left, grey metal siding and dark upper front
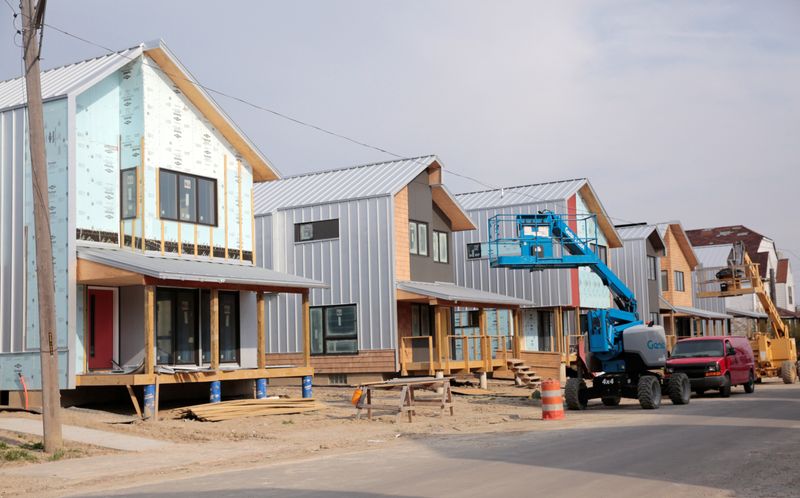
x: 381, y: 236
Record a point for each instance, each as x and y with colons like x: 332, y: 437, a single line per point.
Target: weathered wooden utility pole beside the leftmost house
x: 32, y: 20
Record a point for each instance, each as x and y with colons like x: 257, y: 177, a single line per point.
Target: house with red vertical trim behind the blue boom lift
x: 554, y: 320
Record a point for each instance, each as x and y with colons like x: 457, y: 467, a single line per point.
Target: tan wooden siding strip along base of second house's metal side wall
x: 380, y: 360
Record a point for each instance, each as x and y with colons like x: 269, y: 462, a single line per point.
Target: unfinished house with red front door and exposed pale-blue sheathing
x: 152, y: 228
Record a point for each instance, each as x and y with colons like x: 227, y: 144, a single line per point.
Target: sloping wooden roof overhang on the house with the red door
x: 183, y: 79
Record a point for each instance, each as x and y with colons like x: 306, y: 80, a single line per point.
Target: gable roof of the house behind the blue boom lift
x: 543, y: 193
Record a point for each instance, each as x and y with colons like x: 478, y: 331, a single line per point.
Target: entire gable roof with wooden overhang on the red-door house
x: 72, y: 79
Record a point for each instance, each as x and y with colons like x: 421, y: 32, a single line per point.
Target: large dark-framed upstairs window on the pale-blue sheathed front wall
x: 188, y: 198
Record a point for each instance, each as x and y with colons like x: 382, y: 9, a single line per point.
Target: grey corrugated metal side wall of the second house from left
x: 358, y: 267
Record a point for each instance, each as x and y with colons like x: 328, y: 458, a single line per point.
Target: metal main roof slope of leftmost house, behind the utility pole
x: 60, y: 81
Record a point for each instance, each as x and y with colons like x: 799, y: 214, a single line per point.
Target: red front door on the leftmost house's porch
x: 100, y: 340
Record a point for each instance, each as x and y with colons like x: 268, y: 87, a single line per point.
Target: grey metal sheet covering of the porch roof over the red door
x: 192, y: 269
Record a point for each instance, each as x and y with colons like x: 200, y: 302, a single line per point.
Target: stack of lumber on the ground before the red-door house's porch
x: 226, y: 410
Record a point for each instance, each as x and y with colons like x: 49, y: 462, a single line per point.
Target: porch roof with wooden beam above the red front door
x: 175, y: 270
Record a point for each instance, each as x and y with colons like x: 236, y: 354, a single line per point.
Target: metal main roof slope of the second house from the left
x: 356, y: 182
